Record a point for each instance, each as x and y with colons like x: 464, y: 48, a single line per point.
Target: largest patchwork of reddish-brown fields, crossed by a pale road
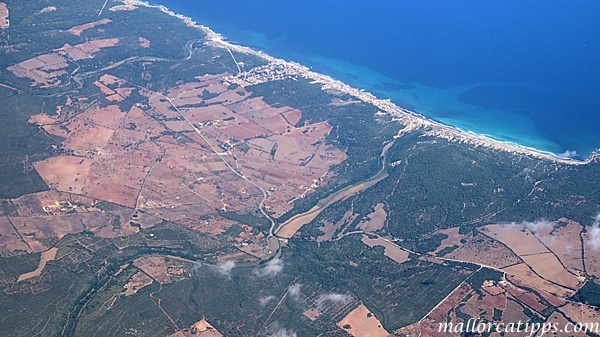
x: 179, y: 152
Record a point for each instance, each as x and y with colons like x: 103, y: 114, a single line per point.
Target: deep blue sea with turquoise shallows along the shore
x: 525, y: 71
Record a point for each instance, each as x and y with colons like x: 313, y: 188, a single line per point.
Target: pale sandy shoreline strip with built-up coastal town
x: 279, y: 69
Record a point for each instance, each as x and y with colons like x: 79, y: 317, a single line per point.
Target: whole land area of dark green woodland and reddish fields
x: 149, y: 178
